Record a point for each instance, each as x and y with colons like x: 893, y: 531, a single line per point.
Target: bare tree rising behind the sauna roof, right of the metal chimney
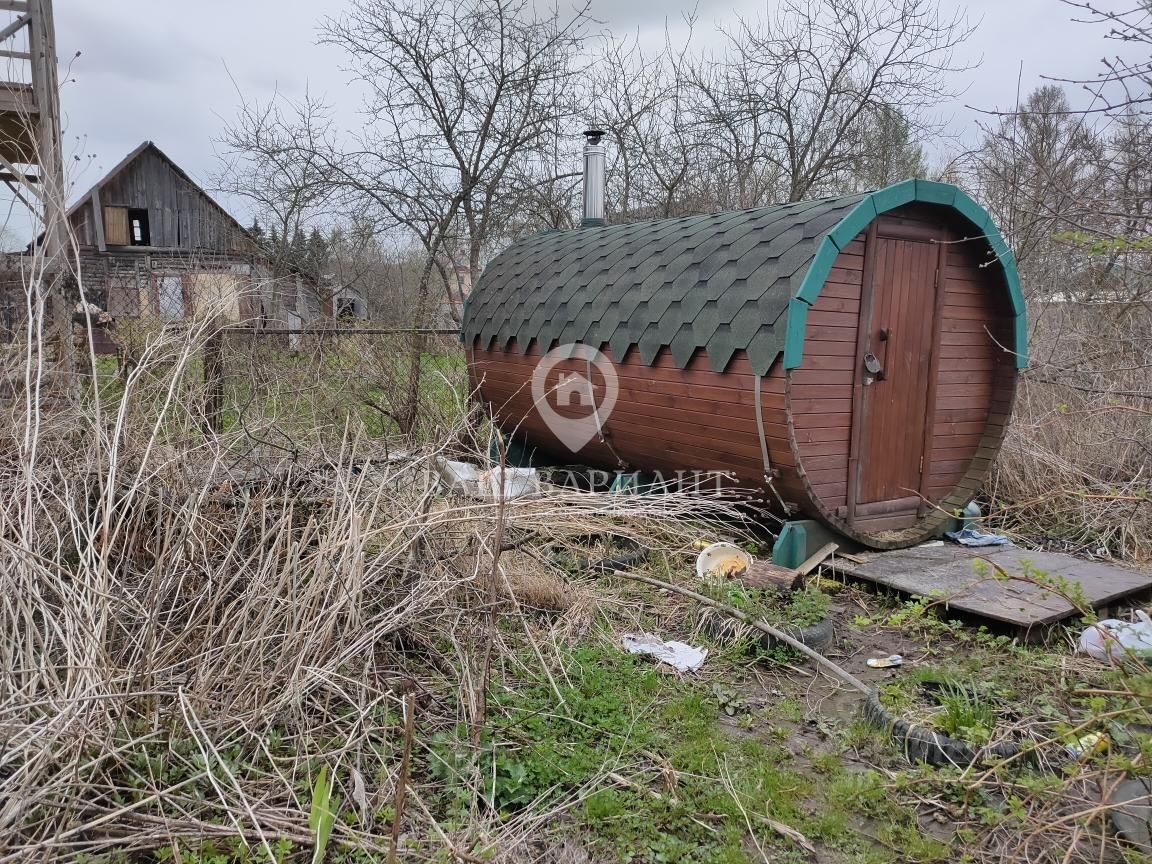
x: 804, y: 86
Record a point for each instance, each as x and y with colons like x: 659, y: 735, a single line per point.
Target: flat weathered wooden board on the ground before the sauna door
x: 953, y: 573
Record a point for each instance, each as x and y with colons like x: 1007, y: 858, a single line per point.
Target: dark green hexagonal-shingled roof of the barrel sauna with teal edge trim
x: 723, y: 283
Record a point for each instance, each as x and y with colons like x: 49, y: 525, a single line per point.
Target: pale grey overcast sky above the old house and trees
x: 173, y: 72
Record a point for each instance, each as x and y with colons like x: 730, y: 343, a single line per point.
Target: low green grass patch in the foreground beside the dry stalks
x: 694, y: 784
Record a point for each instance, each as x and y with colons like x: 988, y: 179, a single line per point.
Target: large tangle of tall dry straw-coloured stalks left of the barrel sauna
x: 196, y: 626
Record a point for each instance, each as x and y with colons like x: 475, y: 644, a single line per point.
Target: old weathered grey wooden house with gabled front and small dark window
x: 154, y: 245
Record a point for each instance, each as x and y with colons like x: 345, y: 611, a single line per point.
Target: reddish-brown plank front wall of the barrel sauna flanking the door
x: 975, y: 376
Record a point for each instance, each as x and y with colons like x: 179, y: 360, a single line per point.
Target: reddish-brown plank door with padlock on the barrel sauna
x: 893, y: 376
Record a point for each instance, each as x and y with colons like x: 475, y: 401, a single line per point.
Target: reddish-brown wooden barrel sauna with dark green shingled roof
x: 881, y: 335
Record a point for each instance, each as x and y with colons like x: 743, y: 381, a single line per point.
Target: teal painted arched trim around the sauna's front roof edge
x: 861, y: 216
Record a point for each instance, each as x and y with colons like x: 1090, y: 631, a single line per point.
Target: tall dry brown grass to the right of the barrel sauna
x: 1077, y: 468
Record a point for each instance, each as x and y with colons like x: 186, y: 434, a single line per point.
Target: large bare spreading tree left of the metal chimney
x: 466, y: 100
